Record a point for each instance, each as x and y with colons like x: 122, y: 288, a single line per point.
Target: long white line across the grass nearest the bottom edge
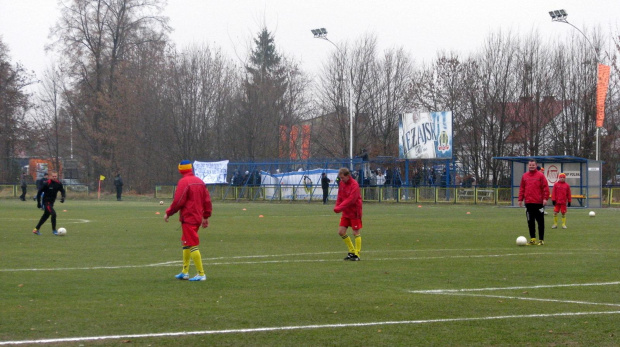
x: 300, y: 327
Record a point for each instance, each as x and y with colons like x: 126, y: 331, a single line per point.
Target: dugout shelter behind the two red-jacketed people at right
x: 583, y: 175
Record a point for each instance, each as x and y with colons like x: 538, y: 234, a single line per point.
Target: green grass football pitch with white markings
x: 429, y: 275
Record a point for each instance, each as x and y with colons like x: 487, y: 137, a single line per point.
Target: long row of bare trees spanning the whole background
x: 122, y: 98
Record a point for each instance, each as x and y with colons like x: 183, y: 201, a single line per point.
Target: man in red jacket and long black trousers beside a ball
x: 534, y: 190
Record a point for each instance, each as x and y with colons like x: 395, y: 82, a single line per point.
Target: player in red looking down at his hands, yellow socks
x: 349, y: 202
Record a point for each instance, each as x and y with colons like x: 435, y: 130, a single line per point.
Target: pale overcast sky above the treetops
x: 422, y: 28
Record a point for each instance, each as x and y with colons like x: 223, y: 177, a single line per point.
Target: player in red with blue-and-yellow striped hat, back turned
x: 193, y: 200
